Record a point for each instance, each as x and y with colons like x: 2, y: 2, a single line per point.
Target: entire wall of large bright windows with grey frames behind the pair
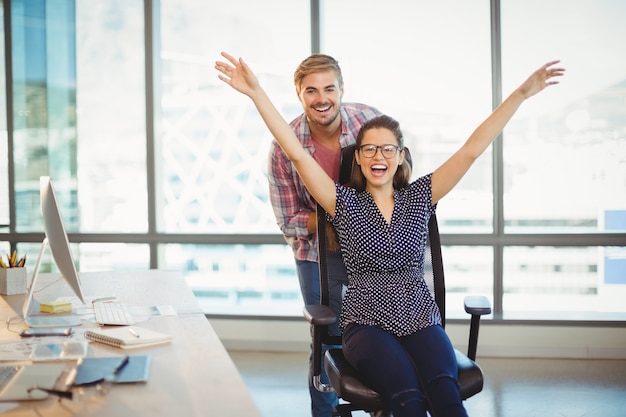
x: 160, y: 165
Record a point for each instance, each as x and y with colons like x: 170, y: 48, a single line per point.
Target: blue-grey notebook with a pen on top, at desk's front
x: 95, y: 369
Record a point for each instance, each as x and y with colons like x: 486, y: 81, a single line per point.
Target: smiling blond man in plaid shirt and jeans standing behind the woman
x: 326, y: 126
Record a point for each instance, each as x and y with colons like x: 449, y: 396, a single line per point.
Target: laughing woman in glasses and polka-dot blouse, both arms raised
x: 392, y: 329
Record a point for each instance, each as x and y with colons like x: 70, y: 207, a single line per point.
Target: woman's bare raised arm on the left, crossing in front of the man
x: 239, y: 76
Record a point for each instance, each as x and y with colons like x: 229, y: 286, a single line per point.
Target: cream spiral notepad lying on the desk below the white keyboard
x: 128, y: 337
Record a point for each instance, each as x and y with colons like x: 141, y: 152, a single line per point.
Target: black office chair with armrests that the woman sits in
x: 344, y: 379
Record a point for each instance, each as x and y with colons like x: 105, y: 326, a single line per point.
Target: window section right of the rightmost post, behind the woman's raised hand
x: 564, y: 161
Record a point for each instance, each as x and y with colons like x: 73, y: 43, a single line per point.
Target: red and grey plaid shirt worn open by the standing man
x: 290, y: 199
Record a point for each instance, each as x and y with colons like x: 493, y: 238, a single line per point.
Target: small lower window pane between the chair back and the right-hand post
x: 468, y: 271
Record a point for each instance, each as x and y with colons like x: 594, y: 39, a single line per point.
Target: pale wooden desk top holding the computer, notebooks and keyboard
x: 191, y: 376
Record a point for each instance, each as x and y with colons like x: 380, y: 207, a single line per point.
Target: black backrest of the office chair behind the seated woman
x: 433, y: 265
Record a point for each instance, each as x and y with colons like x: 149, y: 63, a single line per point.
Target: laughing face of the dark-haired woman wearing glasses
x: 378, y: 170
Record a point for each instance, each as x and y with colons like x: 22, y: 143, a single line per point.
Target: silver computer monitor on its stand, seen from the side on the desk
x: 56, y: 240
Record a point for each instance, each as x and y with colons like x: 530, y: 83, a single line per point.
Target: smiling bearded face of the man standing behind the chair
x: 320, y: 94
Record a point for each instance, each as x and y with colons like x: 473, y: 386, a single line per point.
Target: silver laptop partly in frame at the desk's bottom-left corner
x: 17, y: 380
